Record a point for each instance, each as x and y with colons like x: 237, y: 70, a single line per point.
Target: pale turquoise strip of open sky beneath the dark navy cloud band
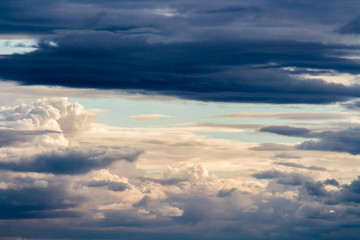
x: 206, y: 118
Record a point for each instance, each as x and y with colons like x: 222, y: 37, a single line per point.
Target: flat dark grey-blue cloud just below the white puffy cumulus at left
x: 72, y: 161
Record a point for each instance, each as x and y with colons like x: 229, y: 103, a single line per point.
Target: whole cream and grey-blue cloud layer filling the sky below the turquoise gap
x: 85, y: 188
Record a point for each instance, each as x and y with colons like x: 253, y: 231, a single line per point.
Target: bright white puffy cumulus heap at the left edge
x: 47, y: 122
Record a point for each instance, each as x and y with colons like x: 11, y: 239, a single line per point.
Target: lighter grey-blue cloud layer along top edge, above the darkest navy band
x: 39, y: 16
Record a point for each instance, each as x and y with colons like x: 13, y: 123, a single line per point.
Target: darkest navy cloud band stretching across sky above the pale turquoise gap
x: 207, y: 71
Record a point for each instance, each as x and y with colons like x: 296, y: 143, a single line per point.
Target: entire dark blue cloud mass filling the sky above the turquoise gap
x: 254, y: 51
